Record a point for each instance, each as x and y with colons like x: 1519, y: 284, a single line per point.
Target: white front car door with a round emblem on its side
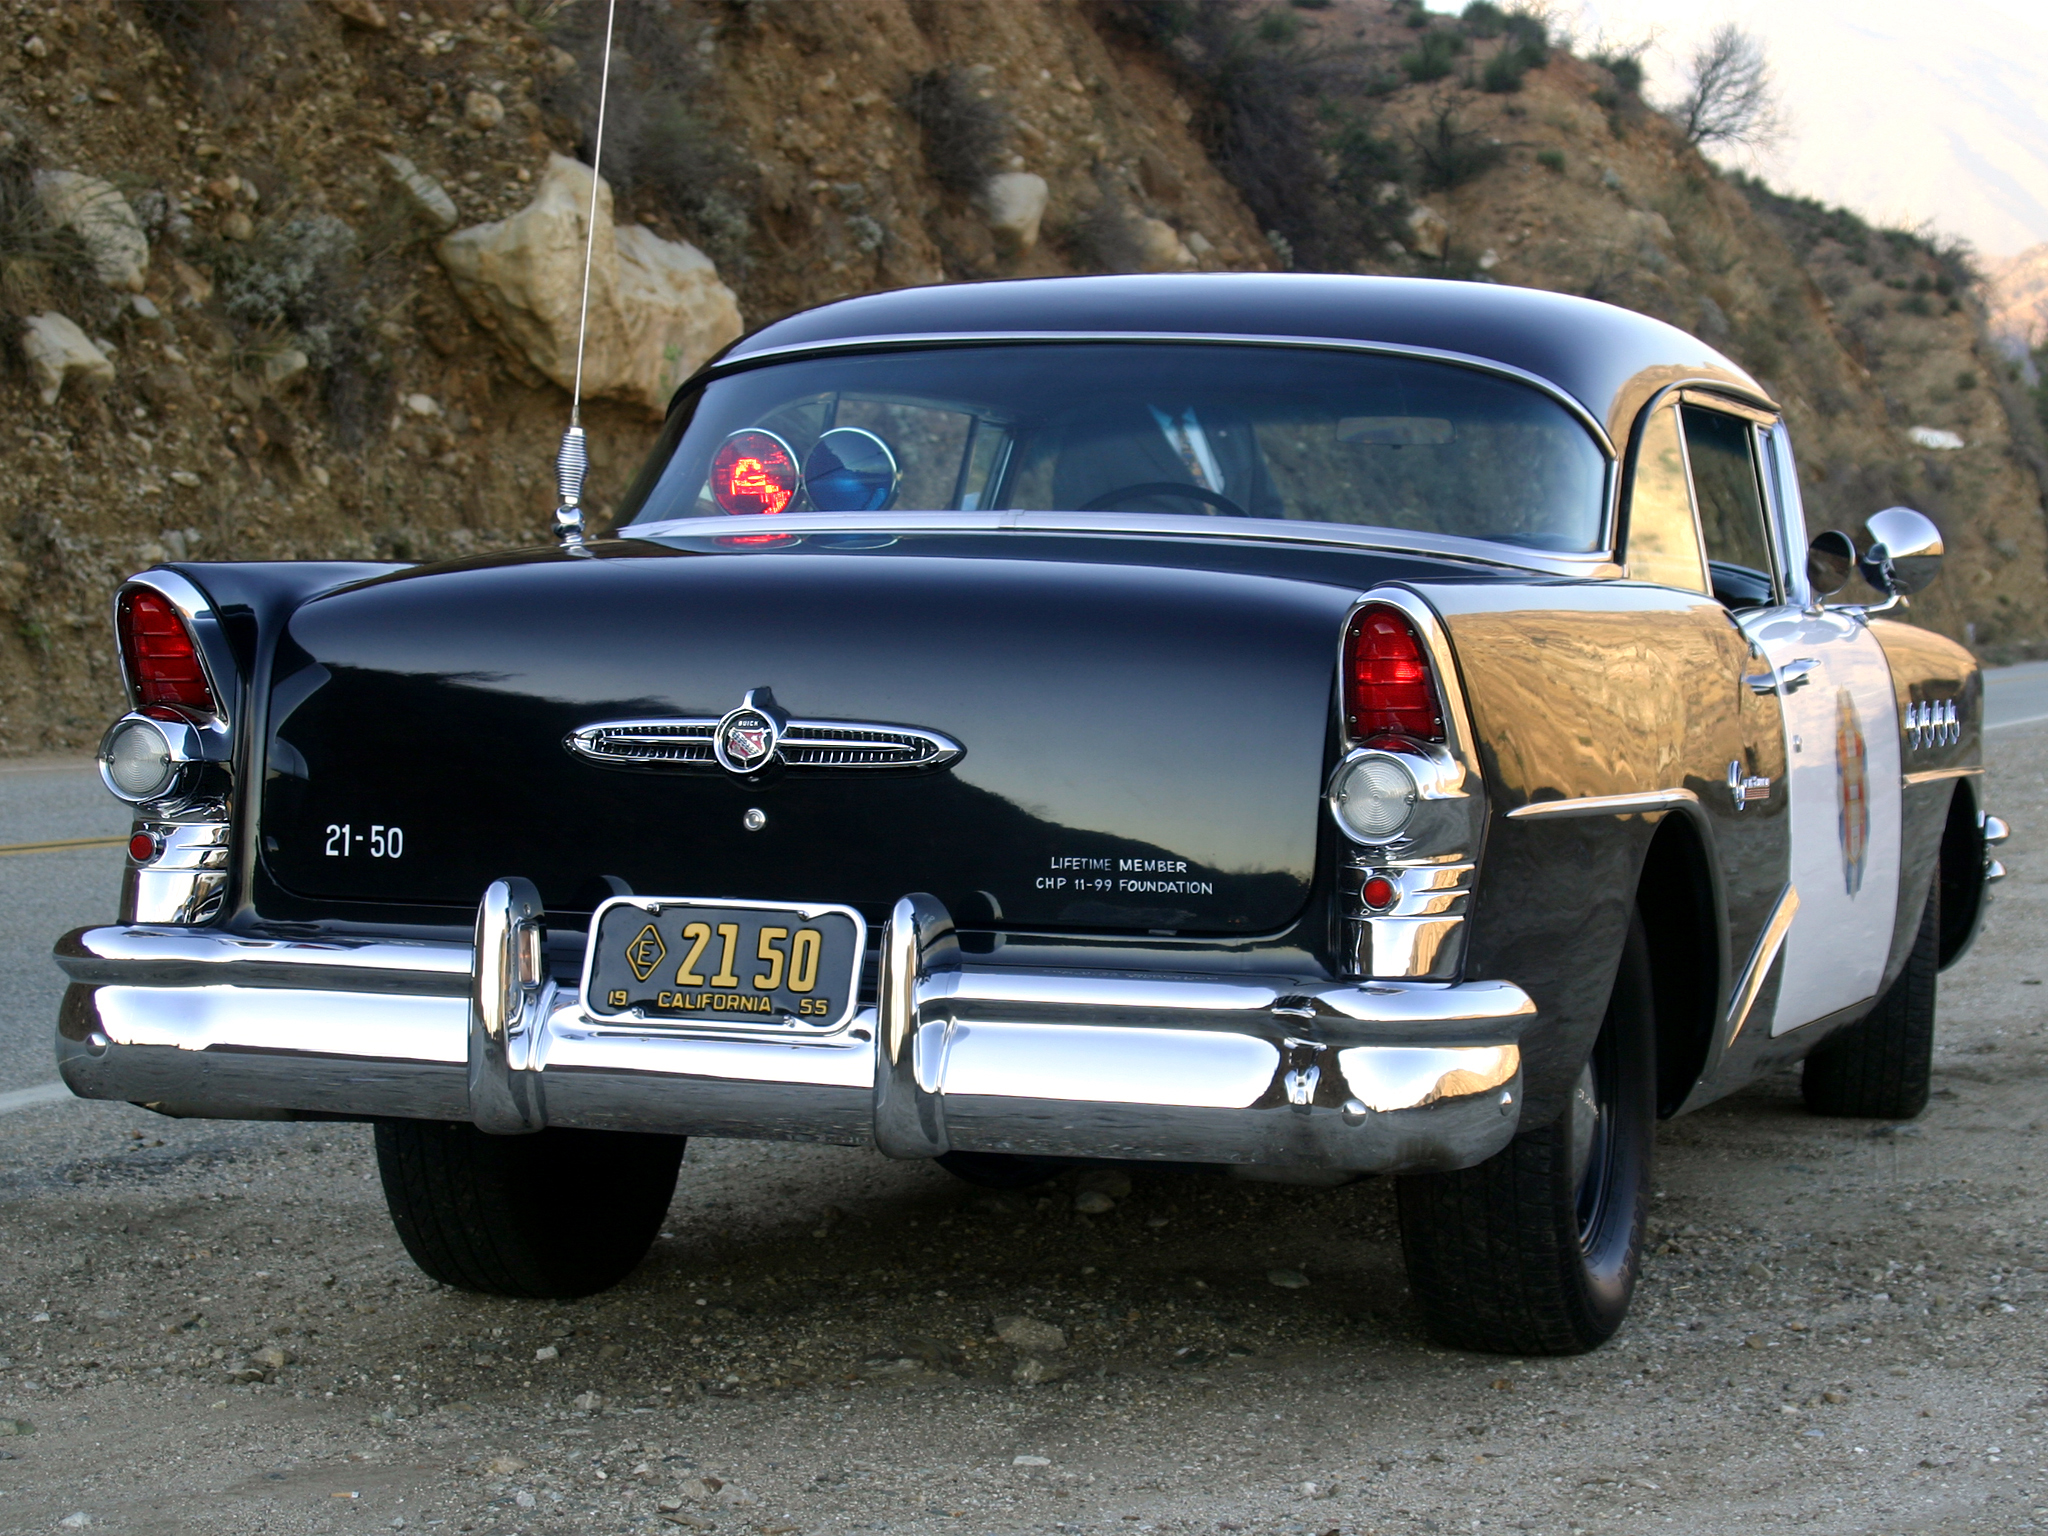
x: 1842, y: 753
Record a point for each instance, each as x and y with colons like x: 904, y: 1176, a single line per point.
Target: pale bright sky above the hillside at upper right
x: 1904, y: 112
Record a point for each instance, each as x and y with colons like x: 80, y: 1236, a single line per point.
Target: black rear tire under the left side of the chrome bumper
x: 554, y: 1215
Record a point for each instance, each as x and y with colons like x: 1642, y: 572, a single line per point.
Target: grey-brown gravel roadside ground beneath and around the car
x: 212, y: 1328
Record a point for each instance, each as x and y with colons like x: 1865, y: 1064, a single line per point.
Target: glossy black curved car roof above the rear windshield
x: 1613, y: 361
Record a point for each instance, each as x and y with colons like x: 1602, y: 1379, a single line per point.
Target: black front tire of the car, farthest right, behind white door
x: 1883, y: 1066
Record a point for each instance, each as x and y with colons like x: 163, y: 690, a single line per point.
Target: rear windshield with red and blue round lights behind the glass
x: 1121, y: 427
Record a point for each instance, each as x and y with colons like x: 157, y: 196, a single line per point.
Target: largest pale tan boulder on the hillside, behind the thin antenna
x: 658, y: 308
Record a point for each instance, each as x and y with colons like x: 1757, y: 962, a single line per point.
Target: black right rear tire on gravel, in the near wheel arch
x: 1537, y: 1250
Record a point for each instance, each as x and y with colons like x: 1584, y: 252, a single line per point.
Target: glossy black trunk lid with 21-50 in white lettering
x: 1144, y: 728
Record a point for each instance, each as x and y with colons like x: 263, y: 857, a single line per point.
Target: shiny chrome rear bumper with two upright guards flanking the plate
x: 1185, y: 1068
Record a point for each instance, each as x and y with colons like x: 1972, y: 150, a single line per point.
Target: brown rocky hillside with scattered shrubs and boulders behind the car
x: 296, y: 278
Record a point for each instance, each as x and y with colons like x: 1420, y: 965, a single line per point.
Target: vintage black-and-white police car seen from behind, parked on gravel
x: 1109, y: 720
